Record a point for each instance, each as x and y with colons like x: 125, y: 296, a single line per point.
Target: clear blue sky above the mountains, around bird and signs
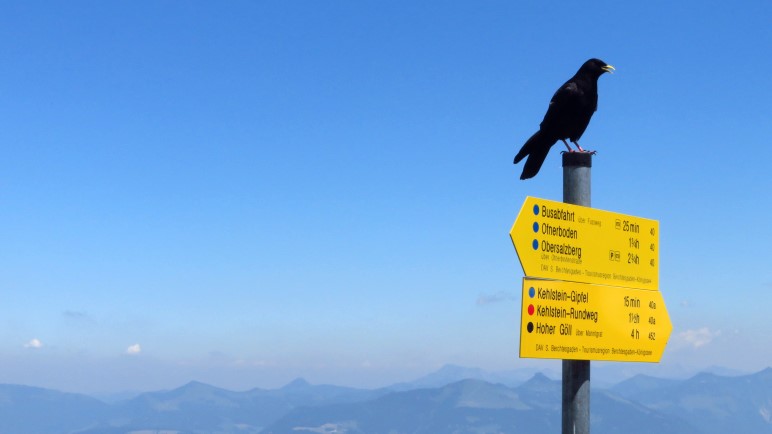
x: 246, y: 192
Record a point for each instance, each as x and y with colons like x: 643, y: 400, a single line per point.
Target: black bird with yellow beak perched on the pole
x: 567, y: 117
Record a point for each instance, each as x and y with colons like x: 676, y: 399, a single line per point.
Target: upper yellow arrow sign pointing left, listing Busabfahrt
x: 556, y: 240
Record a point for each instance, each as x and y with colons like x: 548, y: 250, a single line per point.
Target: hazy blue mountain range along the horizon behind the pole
x: 439, y: 403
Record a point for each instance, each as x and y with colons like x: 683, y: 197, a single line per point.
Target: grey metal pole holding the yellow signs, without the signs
x: 576, y: 373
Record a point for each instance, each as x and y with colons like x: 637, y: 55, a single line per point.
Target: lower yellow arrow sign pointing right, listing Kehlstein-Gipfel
x: 567, y: 320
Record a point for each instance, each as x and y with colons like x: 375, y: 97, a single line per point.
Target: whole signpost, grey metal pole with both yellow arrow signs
x: 591, y: 290
